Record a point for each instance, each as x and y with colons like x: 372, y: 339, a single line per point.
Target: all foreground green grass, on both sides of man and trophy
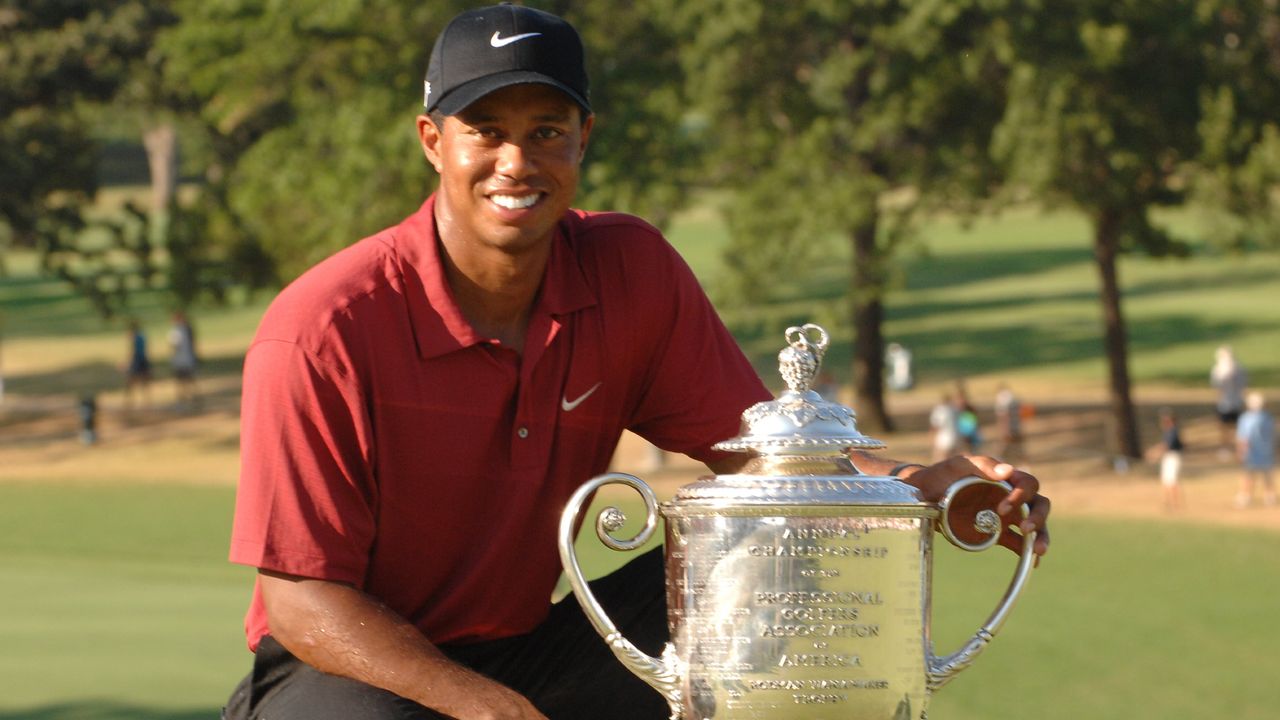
x: 120, y: 604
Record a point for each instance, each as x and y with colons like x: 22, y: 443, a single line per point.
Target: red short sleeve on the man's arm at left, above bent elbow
x: 307, y: 498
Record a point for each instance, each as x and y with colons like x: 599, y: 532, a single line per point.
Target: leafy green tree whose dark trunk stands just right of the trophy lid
x: 816, y: 112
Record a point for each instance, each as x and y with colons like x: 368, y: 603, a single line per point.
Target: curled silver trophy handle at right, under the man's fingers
x: 988, y: 526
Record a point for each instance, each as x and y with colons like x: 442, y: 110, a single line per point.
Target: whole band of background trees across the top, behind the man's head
x: 813, y: 120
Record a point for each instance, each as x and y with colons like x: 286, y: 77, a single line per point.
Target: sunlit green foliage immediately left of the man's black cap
x: 309, y: 108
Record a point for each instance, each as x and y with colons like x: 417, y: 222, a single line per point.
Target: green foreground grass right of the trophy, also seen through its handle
x: 1123, y: 621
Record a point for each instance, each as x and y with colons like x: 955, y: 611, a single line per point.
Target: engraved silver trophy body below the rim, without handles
x: 797, y: 616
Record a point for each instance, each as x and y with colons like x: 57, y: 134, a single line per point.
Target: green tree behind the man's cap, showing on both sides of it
x: 309, y: 107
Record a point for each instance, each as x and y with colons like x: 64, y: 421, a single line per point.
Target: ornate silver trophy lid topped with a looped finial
x: 801, y: 422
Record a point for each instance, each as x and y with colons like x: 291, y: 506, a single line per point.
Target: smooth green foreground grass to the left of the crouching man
x: 118, y: 601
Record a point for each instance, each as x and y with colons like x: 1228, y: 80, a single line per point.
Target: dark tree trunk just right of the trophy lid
x: 868, y: 311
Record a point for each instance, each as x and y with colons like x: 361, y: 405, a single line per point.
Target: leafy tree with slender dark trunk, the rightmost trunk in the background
x: 1105, y: 112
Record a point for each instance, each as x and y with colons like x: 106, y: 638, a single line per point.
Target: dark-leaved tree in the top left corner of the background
x: 60, y: 63
